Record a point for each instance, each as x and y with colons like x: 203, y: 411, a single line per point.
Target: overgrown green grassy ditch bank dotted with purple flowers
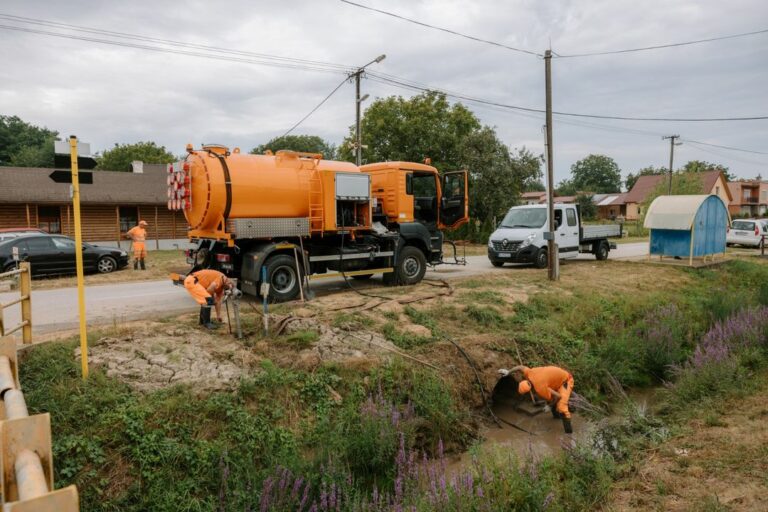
x: 374, y: 436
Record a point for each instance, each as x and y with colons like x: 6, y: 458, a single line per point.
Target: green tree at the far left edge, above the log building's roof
x: 25, y: 145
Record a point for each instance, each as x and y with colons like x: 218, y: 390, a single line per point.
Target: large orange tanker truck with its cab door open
x: 289, y: 215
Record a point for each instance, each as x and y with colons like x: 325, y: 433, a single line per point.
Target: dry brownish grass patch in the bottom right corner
x: 719, y: 463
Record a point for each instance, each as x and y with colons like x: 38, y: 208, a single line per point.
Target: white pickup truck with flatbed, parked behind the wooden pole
x: 520, y: 236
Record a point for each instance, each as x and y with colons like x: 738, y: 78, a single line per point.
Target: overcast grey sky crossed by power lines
x: 108, y: 94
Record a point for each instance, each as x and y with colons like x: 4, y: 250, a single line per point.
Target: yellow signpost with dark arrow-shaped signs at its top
x: 56, y: 176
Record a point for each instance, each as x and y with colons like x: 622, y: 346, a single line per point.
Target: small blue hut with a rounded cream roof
x: 687, y: 226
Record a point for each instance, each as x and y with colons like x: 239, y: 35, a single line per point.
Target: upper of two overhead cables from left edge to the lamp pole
x: 136, y: 37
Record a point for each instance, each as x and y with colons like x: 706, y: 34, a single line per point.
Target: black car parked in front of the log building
x: 55, y: 255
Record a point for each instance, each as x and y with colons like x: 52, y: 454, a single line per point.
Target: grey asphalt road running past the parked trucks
x: 54, y: 310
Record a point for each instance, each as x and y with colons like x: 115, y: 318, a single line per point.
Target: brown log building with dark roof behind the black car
x: 114, y: 203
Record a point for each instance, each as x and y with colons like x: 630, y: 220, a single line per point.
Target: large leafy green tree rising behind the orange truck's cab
x: 428, y: 126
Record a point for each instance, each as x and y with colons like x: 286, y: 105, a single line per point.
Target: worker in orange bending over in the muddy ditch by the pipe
x: 550, y: 383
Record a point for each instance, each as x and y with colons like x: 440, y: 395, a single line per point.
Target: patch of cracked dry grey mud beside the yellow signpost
x: 158, y: 356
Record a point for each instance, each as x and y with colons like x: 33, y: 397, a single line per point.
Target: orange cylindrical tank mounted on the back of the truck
x: 260, y: 186
